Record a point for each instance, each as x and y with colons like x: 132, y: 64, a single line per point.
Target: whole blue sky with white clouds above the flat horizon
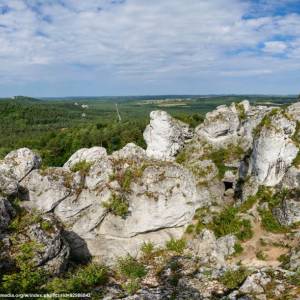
x: 142, y: 47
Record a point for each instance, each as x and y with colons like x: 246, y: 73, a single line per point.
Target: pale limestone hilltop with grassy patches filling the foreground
x: 205, y: 213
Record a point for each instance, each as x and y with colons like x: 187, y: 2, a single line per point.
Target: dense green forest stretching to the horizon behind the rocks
x: 56, y: 128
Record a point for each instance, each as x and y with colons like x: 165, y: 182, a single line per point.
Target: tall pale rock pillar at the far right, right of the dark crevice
x: 274, y: 150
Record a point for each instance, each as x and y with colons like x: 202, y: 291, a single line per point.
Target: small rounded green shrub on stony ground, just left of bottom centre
x: 130, y: 268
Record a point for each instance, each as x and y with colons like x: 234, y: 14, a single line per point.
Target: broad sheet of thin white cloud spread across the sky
x: 142, y: 39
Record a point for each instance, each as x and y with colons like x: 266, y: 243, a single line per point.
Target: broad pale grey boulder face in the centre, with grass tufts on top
x: 161, y: 199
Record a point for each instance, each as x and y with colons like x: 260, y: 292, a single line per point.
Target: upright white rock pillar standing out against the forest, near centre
x: 165, y: 136
